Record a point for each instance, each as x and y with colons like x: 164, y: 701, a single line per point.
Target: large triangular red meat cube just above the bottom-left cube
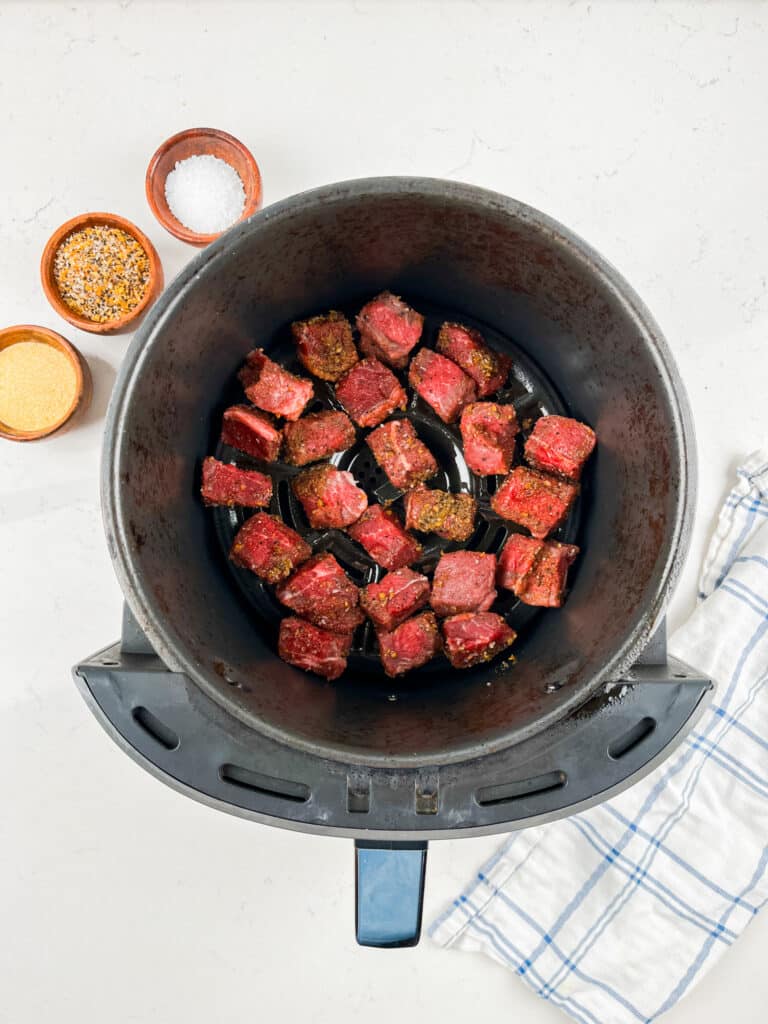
x: 322, y: 592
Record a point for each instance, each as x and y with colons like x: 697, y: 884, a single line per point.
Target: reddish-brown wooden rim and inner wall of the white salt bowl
x: 155, y: 185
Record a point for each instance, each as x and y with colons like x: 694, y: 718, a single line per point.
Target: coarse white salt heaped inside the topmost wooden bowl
x: 205, y: 194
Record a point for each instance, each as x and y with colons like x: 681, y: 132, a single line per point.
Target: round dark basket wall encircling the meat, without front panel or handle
x: 452, y: 248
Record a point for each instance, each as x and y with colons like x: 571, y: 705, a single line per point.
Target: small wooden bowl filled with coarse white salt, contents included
x: 202, y: 182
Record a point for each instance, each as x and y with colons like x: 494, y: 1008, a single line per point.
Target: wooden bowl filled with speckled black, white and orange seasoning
x: 101, y: 273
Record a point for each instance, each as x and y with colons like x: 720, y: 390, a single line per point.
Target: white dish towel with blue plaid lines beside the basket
x: 616, y: 914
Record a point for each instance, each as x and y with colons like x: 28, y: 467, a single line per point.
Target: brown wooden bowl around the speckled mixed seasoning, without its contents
x: 154, y: 288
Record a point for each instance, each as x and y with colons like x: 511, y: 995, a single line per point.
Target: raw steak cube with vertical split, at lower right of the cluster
x: 536, y: 571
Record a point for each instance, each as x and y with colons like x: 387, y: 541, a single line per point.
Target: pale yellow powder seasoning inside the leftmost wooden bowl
x: 38, y: 386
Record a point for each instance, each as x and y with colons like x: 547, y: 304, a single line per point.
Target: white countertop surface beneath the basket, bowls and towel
x: 641, y: 126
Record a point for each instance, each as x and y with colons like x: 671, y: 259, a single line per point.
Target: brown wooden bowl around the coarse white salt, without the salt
x: 198, y: 143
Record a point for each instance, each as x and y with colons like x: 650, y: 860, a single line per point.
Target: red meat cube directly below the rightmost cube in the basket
x: 534, y: 500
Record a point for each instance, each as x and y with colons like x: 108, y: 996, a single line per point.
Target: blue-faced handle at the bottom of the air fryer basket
x: 391, y: 892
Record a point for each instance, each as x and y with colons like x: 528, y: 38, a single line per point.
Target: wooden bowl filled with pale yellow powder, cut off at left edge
x: 45, y: 382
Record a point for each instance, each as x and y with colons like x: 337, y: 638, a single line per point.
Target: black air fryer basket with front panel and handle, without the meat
x: 195, y: 691
